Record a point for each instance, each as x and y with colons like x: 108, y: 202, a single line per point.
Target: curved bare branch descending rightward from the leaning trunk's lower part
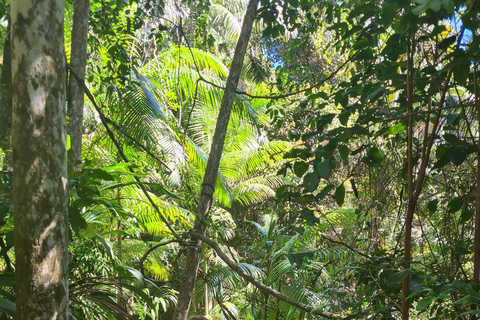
x: 259, y: 285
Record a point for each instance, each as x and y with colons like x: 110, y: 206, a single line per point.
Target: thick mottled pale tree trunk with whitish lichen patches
x: 39, y: 154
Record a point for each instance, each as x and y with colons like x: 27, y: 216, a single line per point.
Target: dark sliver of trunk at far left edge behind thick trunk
x: 6, y: 100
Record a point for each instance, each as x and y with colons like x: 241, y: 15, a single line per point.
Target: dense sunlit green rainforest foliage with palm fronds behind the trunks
x: 350, y: 176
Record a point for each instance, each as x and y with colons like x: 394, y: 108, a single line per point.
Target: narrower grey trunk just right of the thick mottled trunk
x: 78, y: 62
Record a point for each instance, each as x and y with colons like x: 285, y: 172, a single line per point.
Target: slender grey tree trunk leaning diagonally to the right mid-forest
x: 208, y: 185
